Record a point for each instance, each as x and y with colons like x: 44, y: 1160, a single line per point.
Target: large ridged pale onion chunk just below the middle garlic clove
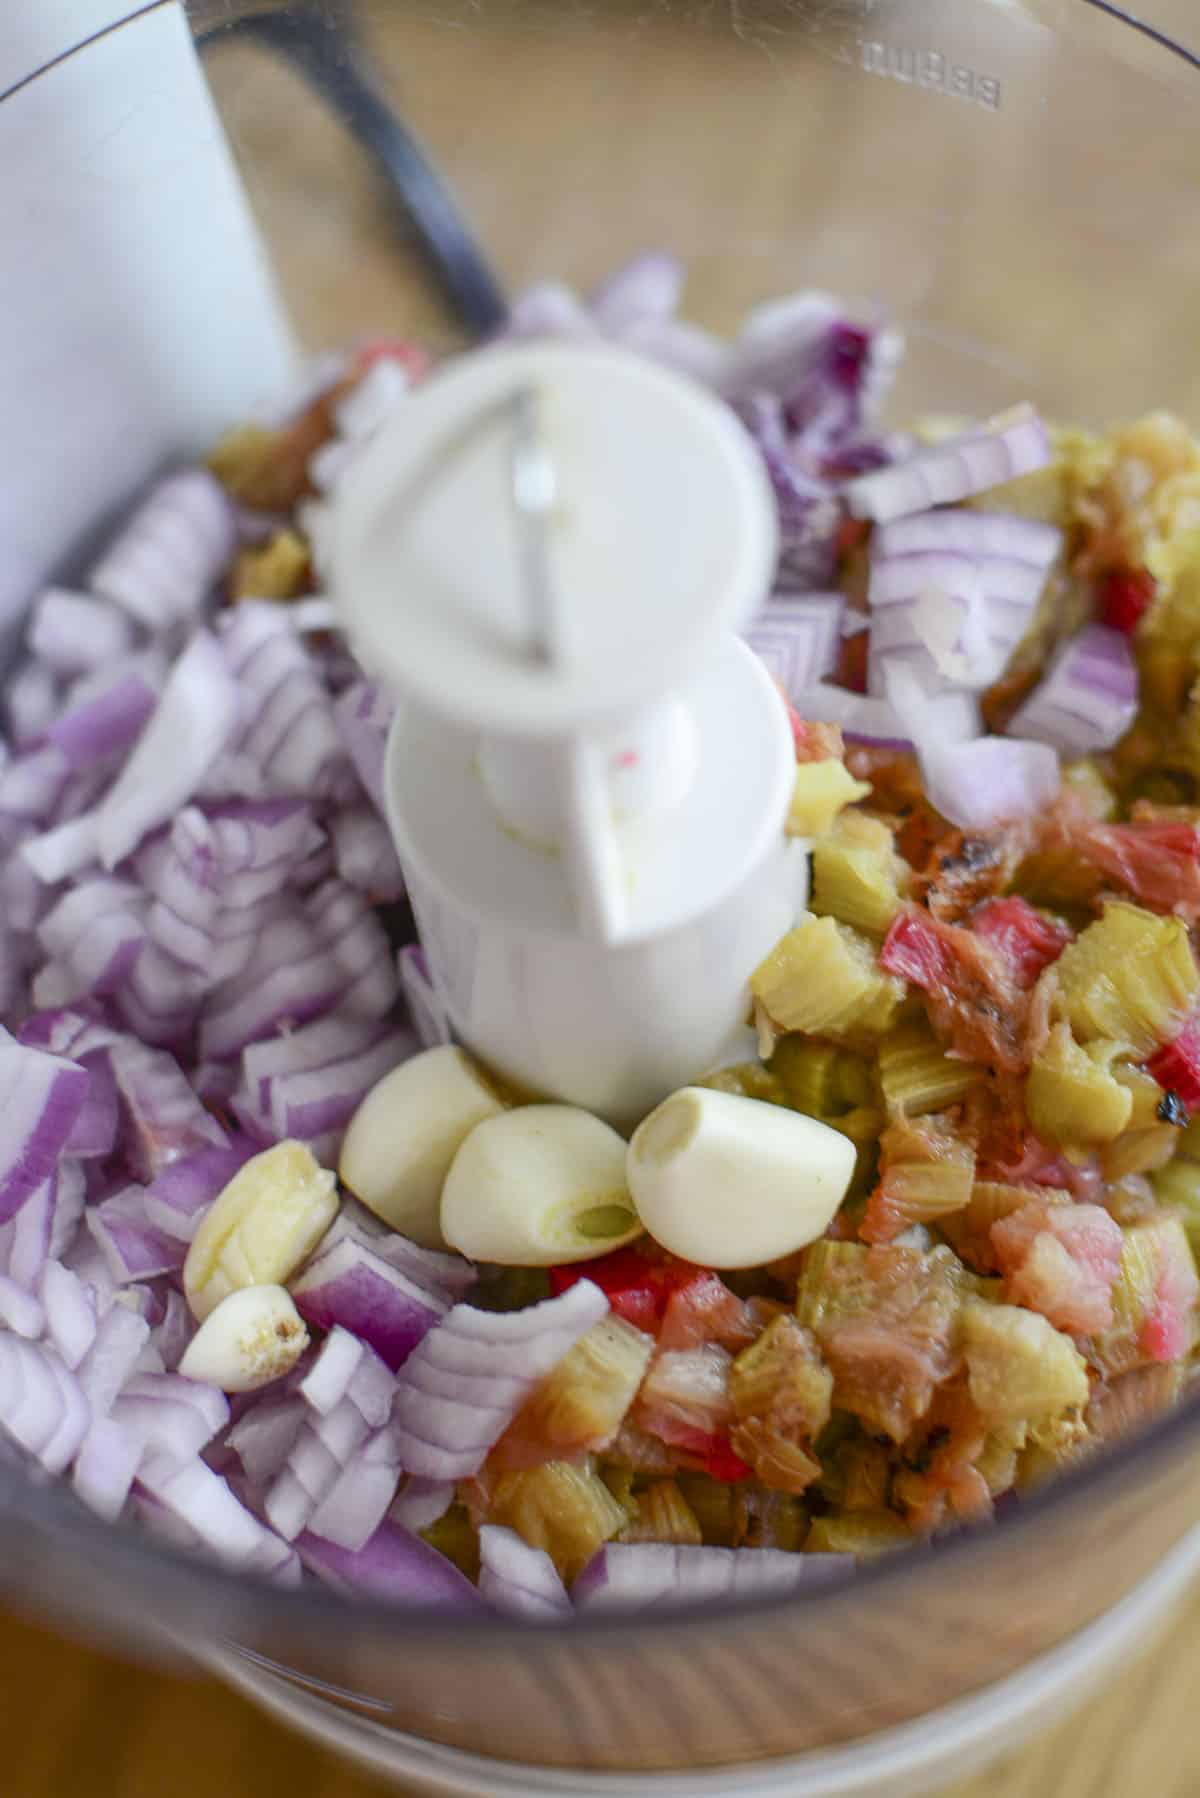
x: 465, y: 1384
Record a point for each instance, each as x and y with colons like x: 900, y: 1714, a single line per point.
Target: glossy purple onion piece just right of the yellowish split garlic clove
x: 359, y: 1290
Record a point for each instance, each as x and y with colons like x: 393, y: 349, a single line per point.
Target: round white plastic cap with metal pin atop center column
x: 643, y: 533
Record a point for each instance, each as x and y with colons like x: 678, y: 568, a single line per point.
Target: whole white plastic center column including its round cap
x: 550, y: 553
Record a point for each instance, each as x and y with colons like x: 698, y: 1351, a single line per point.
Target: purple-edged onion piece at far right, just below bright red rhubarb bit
x: 1089, y: 697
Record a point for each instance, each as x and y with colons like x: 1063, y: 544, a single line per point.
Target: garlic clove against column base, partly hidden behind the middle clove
x: 407, y: 1132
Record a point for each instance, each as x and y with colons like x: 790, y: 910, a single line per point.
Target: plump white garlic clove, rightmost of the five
x: 733, y: 1182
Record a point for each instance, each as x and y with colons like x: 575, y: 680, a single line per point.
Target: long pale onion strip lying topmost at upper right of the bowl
x: 1016, y: 443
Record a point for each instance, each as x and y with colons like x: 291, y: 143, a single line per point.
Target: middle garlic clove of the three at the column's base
x: 537, y: 1188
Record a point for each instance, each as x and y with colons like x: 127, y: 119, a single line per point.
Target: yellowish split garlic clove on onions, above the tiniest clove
x: 262, y: 1227
